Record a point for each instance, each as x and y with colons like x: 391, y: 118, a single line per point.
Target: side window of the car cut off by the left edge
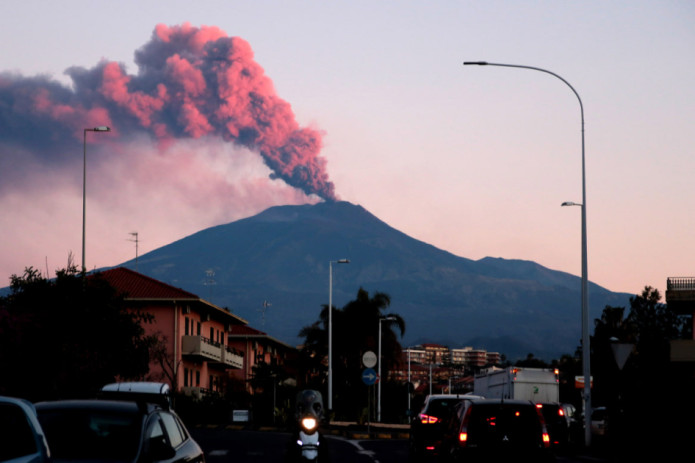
x: 16, y: 434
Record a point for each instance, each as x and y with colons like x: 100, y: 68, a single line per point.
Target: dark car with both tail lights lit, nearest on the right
x: 496, y: 430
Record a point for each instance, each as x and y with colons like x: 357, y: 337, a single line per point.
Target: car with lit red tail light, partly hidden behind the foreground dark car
x: 426, y: 428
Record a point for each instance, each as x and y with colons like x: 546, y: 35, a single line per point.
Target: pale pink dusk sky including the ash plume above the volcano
x: 221, y: 109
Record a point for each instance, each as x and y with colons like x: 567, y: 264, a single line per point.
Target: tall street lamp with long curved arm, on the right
x: 586, y: 351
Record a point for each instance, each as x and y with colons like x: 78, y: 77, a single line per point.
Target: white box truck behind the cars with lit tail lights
x: 535, y: 384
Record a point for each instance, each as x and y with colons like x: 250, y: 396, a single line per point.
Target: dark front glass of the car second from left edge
x: 89, y: 434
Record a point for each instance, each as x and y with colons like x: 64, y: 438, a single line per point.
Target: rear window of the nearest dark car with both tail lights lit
x: 506, y: 424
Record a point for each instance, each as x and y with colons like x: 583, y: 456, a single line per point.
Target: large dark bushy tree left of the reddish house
x: 67, y: 337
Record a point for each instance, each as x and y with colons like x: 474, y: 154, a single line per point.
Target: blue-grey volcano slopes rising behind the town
x: 282, y: 256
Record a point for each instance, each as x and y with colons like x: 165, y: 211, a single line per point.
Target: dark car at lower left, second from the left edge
x: 115, y: 431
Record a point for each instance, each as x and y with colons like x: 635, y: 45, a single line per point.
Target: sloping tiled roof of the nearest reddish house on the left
x: 138, y: 286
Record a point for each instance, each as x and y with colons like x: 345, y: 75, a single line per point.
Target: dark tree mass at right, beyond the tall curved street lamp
x: 646, y: 331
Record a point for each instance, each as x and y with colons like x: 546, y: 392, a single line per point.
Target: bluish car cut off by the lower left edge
x: 21, y: 436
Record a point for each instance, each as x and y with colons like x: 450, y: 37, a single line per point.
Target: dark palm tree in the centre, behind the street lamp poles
x: 355, y: 331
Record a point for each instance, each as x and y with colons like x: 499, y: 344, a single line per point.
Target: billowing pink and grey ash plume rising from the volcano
x: 192, y: 83
